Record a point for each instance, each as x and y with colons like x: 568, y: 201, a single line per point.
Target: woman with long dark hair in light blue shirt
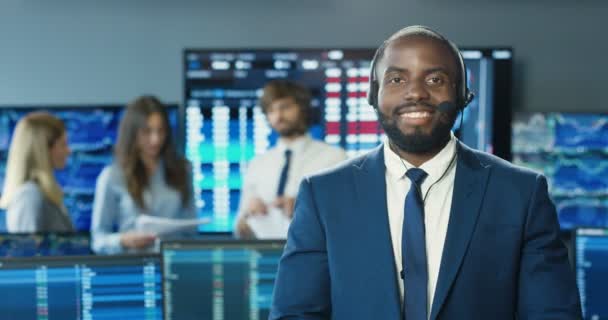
x: 148, y: 177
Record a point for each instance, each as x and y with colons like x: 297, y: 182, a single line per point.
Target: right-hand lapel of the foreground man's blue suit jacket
x: 469, y: 188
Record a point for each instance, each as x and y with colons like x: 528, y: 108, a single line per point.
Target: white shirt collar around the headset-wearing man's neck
x: 435, y: 167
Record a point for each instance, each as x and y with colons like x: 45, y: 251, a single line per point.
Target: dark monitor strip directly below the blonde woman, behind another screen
x: 44, y: 244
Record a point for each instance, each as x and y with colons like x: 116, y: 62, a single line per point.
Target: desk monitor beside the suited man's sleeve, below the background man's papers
x: 219, y: 279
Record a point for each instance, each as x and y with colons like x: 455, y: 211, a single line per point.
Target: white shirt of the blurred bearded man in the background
x: 261, y: 180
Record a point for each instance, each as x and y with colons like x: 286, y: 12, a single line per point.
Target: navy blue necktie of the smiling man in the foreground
x: 413, y: 250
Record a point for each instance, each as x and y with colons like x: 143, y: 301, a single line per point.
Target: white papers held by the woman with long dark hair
x: 167, y: 226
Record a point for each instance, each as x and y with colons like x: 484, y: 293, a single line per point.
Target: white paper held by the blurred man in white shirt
x: 272, y: 225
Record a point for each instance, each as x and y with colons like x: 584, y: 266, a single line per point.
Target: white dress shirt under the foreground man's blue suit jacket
x: 436, y: 206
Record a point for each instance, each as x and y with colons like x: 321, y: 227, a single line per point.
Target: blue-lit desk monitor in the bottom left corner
x: 89, y: 287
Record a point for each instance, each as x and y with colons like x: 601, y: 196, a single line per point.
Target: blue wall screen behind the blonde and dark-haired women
x: 92, y: 131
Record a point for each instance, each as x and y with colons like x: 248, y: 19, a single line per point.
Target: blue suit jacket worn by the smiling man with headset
x: 502, y: 257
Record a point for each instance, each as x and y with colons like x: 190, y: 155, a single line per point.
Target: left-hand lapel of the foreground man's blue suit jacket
x: 372, y: 213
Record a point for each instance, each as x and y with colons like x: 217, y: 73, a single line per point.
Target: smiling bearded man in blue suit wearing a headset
x: 424, y: 227
